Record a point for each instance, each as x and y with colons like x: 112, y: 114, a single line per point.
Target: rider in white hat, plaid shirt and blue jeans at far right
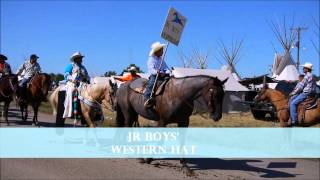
x: 304, y: 89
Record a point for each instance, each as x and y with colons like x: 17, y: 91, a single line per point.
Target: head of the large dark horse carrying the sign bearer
x: 213, y: 94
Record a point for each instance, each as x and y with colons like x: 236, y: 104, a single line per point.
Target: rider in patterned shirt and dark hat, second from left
x: 29, y: 68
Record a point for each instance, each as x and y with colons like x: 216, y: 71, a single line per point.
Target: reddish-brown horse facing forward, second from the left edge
x: 37, y: 92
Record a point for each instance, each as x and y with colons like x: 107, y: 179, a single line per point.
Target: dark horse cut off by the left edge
x: 8, y: 86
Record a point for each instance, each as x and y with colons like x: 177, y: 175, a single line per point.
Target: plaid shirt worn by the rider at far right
x: 307, y: 85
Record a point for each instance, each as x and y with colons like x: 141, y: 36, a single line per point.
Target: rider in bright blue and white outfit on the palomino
x: 75, y: 73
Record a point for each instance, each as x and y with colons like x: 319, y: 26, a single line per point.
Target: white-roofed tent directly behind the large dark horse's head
x: 234, y: 91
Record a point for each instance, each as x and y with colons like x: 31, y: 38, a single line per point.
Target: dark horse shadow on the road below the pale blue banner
x: 242, y: 165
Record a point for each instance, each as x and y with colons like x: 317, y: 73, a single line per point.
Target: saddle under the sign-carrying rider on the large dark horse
x: 139, y: 85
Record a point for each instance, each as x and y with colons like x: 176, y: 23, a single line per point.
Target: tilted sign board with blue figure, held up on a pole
x: 173, y: 26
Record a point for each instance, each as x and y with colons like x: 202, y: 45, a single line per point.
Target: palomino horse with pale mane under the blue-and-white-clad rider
x: 93, y: 97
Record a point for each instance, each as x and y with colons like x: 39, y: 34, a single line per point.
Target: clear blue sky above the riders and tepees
x: 113, y: 34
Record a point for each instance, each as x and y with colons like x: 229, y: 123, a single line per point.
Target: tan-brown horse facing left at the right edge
x: 280, y: 101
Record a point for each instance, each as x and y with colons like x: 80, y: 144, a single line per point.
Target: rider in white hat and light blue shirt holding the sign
x: 155, y: 58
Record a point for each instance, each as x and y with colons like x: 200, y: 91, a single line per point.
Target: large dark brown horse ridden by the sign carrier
x: 175, y: 105
